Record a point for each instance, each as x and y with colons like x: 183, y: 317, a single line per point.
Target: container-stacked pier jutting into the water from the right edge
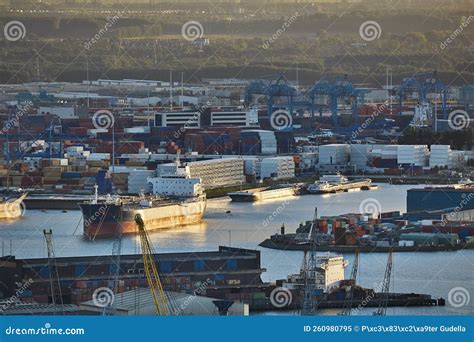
x: 382, y: 232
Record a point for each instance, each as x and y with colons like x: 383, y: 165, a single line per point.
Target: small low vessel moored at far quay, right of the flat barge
x: 334, y: 183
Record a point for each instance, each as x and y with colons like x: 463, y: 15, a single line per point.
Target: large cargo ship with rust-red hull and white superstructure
x: 177, y: 200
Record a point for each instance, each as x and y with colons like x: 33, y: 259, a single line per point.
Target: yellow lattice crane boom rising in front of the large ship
x: 164, y: 305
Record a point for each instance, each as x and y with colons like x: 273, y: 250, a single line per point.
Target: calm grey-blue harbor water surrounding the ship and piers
x: 246, y: 225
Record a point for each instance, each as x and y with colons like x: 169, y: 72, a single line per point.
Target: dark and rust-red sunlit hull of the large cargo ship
x: 106, y: 220
